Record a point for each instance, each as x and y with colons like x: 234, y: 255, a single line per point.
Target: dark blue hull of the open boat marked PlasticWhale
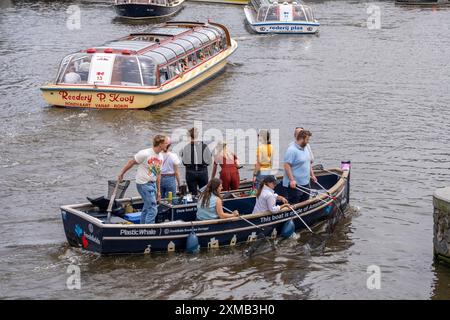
x: 88, y: 232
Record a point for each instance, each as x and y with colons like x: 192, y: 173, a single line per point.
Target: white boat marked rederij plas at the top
x: 267, y: 16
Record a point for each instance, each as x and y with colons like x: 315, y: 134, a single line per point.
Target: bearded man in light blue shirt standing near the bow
x: 297, y: 168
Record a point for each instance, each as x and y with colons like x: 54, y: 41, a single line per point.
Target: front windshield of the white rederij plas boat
x: 284, y: 12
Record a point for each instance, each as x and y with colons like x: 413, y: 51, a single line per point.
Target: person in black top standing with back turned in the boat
x: 196, y: 157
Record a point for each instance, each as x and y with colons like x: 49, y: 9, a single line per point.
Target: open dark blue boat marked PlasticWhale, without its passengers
x: 176, y: 228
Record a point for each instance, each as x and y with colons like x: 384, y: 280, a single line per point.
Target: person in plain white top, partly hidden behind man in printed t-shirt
x: 170, y: 173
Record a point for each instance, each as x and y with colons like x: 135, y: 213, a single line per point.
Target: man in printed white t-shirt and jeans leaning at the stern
x: 148, y: 176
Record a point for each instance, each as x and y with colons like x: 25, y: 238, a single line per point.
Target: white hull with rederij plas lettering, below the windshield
x: 293, y: 27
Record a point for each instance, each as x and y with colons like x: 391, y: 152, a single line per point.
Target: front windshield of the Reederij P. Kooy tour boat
x: 107, y: 69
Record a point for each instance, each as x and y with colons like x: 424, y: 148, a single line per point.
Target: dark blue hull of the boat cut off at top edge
x: 141, y: 11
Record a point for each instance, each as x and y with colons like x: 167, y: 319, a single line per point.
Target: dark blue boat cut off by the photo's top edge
x: 143, y: 9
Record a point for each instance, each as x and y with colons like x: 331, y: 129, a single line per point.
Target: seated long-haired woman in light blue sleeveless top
x: 209, y: 205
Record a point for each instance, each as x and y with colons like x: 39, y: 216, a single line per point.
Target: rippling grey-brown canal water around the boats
x: 377, y: 97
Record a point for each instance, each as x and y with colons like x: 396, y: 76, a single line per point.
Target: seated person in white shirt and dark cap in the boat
x: 266, y: 198
